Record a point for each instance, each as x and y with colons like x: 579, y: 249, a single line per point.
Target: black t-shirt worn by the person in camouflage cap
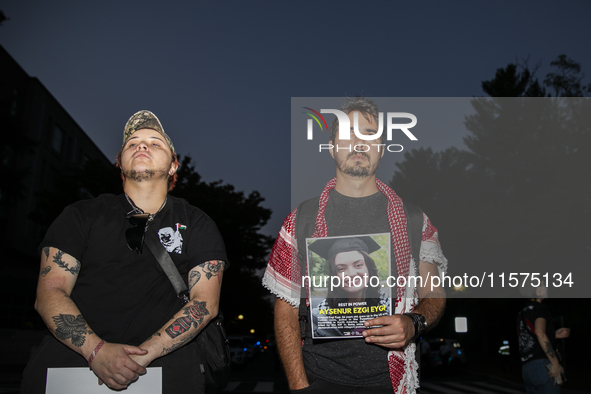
x: 125, y: 297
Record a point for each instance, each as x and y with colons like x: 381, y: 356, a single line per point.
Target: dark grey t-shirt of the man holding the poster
x: 351, y: 361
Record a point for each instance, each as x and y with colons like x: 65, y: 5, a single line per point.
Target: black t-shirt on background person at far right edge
x: 529, y: 346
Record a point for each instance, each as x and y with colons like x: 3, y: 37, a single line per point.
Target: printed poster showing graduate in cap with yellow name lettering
x: 347, y: 279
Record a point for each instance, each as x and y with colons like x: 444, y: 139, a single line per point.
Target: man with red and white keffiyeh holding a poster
x: 356, y: 204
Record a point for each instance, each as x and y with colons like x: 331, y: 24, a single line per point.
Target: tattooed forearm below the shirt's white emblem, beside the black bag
x: 205, y: 282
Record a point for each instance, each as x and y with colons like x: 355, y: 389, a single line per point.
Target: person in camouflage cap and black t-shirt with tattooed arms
x: 102, y: 293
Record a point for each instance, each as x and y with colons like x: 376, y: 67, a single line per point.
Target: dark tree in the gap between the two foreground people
x: 239, y: 219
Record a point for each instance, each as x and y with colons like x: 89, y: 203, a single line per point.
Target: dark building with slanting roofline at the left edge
x: 41, y: 146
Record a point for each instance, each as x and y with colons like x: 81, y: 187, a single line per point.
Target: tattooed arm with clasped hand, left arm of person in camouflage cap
x: 58, y: 275
